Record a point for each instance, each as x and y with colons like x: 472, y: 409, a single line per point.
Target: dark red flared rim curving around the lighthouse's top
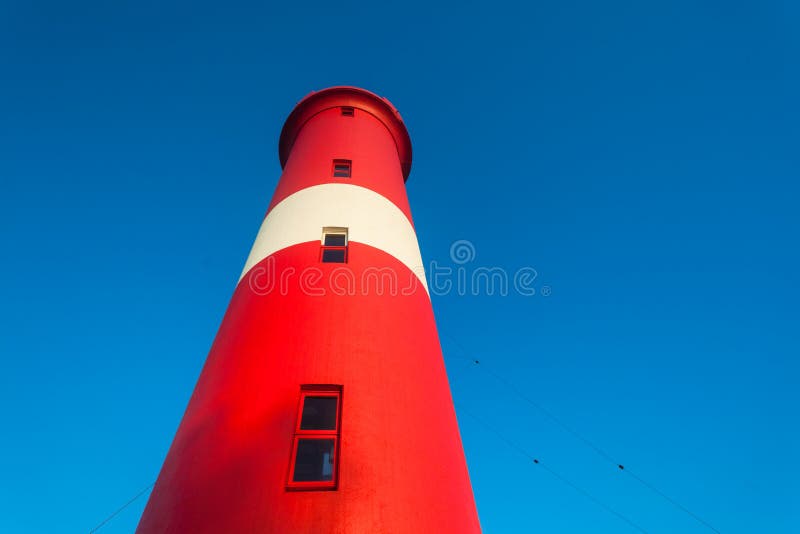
x: 354, y: 97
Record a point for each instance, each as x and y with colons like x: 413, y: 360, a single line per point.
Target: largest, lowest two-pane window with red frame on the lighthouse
x: 315, y: 449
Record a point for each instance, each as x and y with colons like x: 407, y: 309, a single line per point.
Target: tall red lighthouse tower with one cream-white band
x: 323, y: 406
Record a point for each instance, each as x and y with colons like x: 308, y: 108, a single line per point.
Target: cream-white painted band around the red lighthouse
x: 370, y: 218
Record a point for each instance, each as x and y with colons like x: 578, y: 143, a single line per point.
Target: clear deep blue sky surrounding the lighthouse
x: 641, y: 156
